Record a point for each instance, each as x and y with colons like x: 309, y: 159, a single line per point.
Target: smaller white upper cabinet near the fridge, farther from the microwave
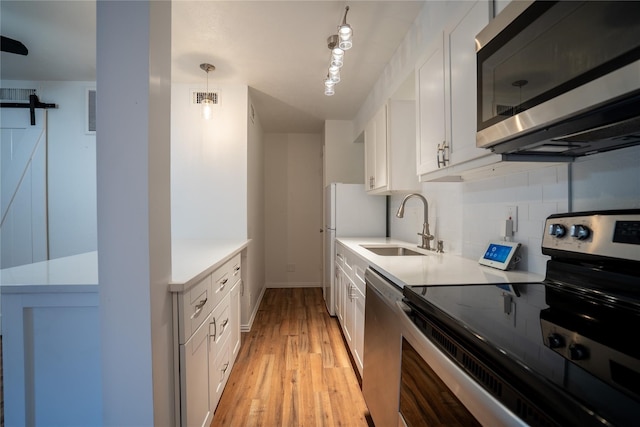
x: 390, y: 149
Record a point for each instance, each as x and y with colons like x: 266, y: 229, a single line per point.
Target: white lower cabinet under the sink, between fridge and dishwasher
x: 351, y: 299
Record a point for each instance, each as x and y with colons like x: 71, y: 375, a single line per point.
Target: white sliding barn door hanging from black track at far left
x: 23, y: 187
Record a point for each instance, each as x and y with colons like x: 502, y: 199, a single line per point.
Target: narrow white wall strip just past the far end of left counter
x: 255, y: 270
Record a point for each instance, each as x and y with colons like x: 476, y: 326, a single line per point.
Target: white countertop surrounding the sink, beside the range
x: 433, y: 268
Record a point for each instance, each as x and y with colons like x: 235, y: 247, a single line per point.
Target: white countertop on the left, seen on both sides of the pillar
x: 191, y: 260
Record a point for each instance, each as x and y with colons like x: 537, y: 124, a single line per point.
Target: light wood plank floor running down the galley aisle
x: 293, y: 368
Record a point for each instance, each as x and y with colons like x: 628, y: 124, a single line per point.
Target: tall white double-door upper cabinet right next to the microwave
x: 446, y: 90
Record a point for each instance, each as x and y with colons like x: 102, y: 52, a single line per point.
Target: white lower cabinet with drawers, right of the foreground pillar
x: 210, y: 308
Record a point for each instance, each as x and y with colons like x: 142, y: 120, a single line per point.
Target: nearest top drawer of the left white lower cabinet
x: 195, y: 305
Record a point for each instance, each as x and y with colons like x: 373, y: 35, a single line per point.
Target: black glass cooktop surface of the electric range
x: 527, y: 333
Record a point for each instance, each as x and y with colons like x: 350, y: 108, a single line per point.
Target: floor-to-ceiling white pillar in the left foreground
x: 134, y: 225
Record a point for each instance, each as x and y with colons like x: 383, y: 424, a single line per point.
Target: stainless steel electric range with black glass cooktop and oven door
x: 562, y: 352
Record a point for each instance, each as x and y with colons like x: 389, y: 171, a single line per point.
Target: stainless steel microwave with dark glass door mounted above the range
x: 559, y: 78
